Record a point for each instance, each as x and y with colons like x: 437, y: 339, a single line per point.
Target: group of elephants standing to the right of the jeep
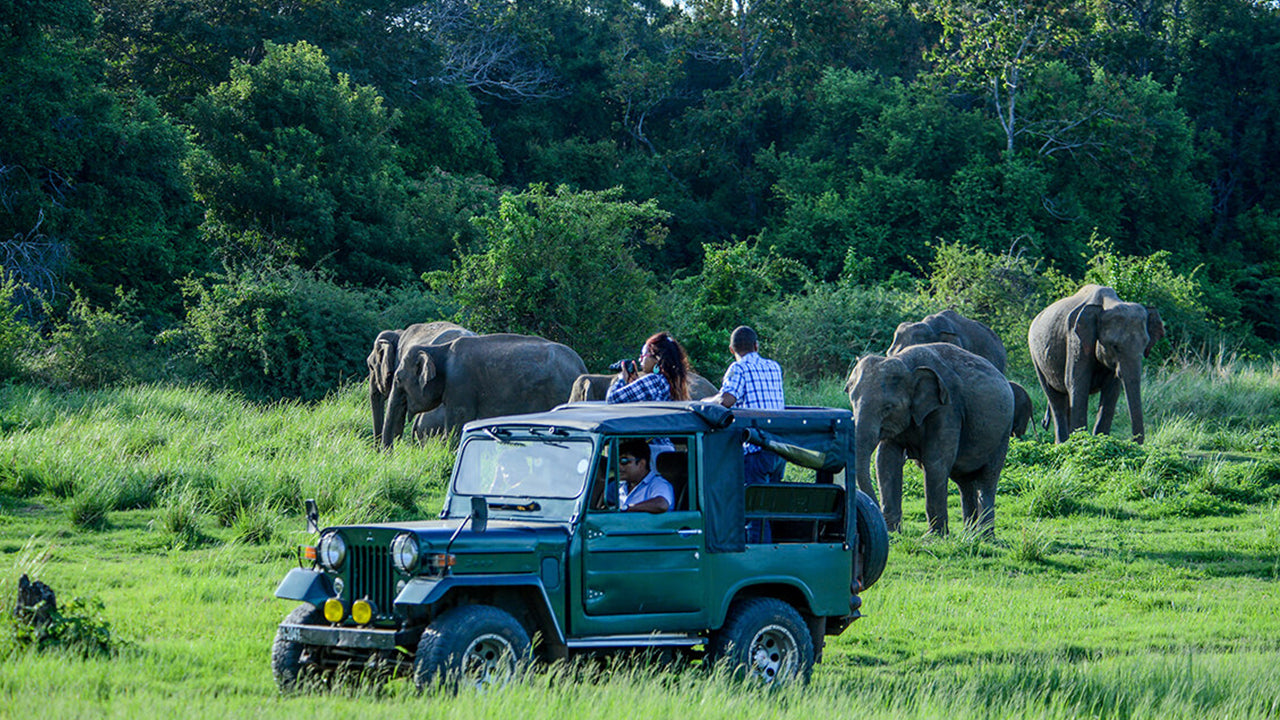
x: 941, y: 399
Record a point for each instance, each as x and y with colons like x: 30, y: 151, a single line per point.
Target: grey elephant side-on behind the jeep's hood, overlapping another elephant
x: 477, y: 377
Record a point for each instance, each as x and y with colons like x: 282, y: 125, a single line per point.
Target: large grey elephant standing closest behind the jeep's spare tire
x: 943, y: 407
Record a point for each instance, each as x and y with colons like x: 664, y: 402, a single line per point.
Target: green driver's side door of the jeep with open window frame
x: 641, y: 564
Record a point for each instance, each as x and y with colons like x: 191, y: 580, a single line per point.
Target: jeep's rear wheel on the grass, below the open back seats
x: 764, y: 640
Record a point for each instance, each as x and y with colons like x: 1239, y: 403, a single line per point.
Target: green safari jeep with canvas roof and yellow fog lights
x: 532, y: 544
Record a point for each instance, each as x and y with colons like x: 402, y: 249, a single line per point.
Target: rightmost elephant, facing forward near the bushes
x: 1092, y: 343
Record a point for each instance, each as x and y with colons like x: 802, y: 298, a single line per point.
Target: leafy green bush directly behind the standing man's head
x: 738, y: 285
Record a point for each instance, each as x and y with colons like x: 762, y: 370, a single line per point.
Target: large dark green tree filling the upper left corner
x: 92, y: 184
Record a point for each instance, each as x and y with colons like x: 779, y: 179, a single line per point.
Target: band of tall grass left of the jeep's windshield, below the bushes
x: 138, y: 448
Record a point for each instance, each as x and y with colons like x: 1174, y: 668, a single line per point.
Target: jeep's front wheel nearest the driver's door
x: 472, y: 645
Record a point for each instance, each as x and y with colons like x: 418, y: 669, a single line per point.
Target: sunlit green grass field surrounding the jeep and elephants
x: 1124, y: 582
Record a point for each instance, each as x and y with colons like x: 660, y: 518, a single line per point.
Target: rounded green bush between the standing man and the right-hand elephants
x: 822, y: 332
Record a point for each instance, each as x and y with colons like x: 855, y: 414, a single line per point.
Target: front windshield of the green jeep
x: 524, y: 476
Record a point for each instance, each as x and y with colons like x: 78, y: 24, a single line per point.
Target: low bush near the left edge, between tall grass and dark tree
x: 97, y: 347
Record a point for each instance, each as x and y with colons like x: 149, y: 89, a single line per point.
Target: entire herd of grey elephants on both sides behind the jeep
x: 939, y: 395
